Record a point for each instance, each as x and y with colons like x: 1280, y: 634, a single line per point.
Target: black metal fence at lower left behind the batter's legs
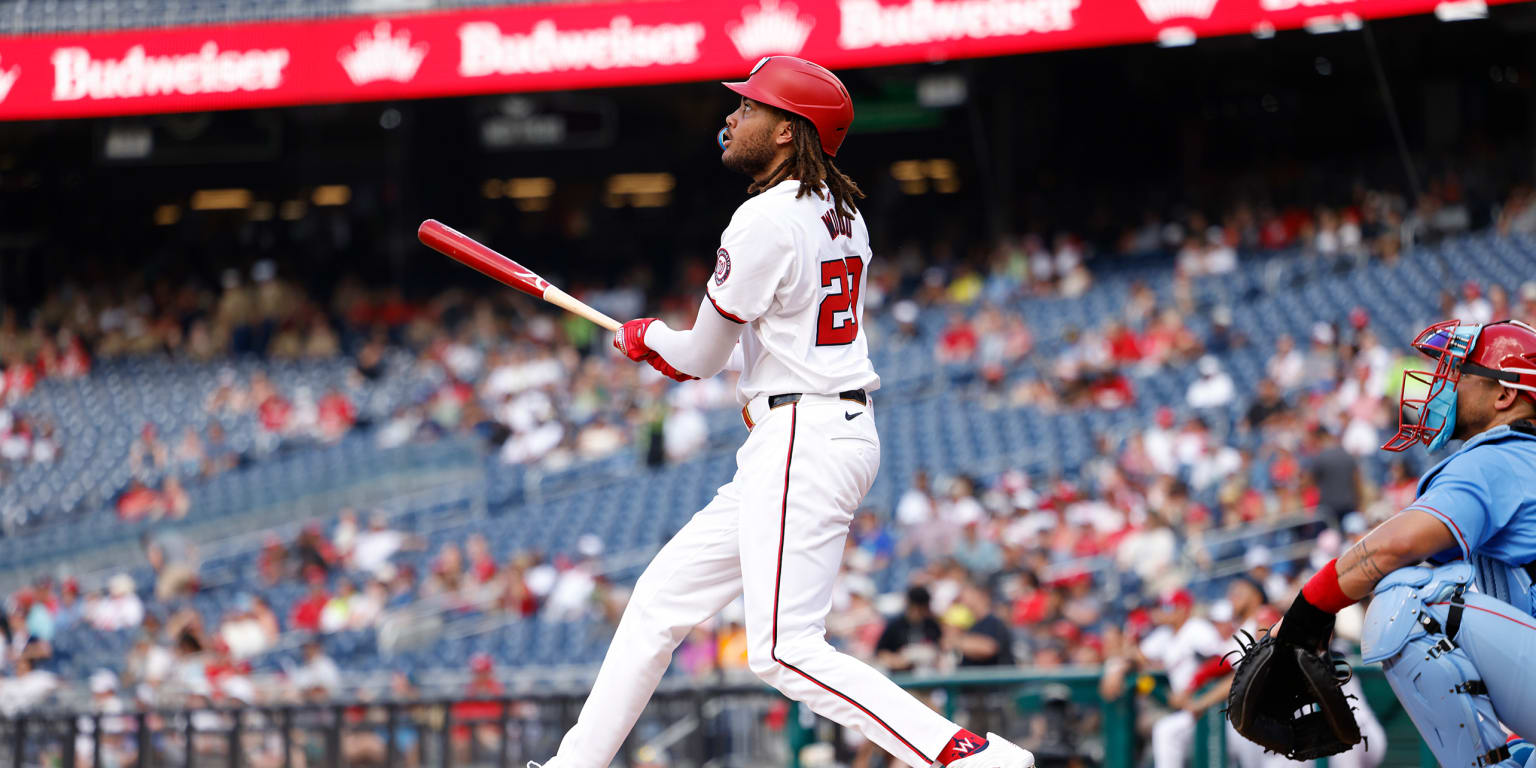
x: 692, y: 727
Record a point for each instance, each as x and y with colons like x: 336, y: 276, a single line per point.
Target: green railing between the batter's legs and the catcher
x: 1030, y: 690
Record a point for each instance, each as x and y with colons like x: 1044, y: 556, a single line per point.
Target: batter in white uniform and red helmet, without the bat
x: 786, y: 305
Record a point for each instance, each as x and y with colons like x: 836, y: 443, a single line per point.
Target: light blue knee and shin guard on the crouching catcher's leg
x: 1432, y: 677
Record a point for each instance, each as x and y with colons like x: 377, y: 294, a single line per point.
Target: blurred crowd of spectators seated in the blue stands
x: 1099, y: 569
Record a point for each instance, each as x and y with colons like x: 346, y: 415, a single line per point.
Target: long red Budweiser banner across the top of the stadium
x: 568, y: 47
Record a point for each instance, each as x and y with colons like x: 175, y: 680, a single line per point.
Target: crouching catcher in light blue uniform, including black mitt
x: 1463, y: 663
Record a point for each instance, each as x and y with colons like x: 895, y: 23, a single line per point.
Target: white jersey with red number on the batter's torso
x: 793, y: 271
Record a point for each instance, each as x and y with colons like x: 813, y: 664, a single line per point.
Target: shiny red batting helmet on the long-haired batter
x: 807, y: 90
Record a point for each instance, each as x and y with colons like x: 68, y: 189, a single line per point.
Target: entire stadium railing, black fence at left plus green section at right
x: 692, y: 726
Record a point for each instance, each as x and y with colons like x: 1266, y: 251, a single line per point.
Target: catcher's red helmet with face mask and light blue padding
x: 1503, y: 351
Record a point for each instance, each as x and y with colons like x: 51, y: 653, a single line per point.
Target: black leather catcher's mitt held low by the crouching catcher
x: 1289, y: 700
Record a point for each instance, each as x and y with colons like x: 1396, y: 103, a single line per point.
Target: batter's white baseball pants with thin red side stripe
x: 773, y: 535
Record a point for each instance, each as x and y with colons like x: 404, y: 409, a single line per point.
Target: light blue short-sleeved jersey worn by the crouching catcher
x: 1486, y: 495
